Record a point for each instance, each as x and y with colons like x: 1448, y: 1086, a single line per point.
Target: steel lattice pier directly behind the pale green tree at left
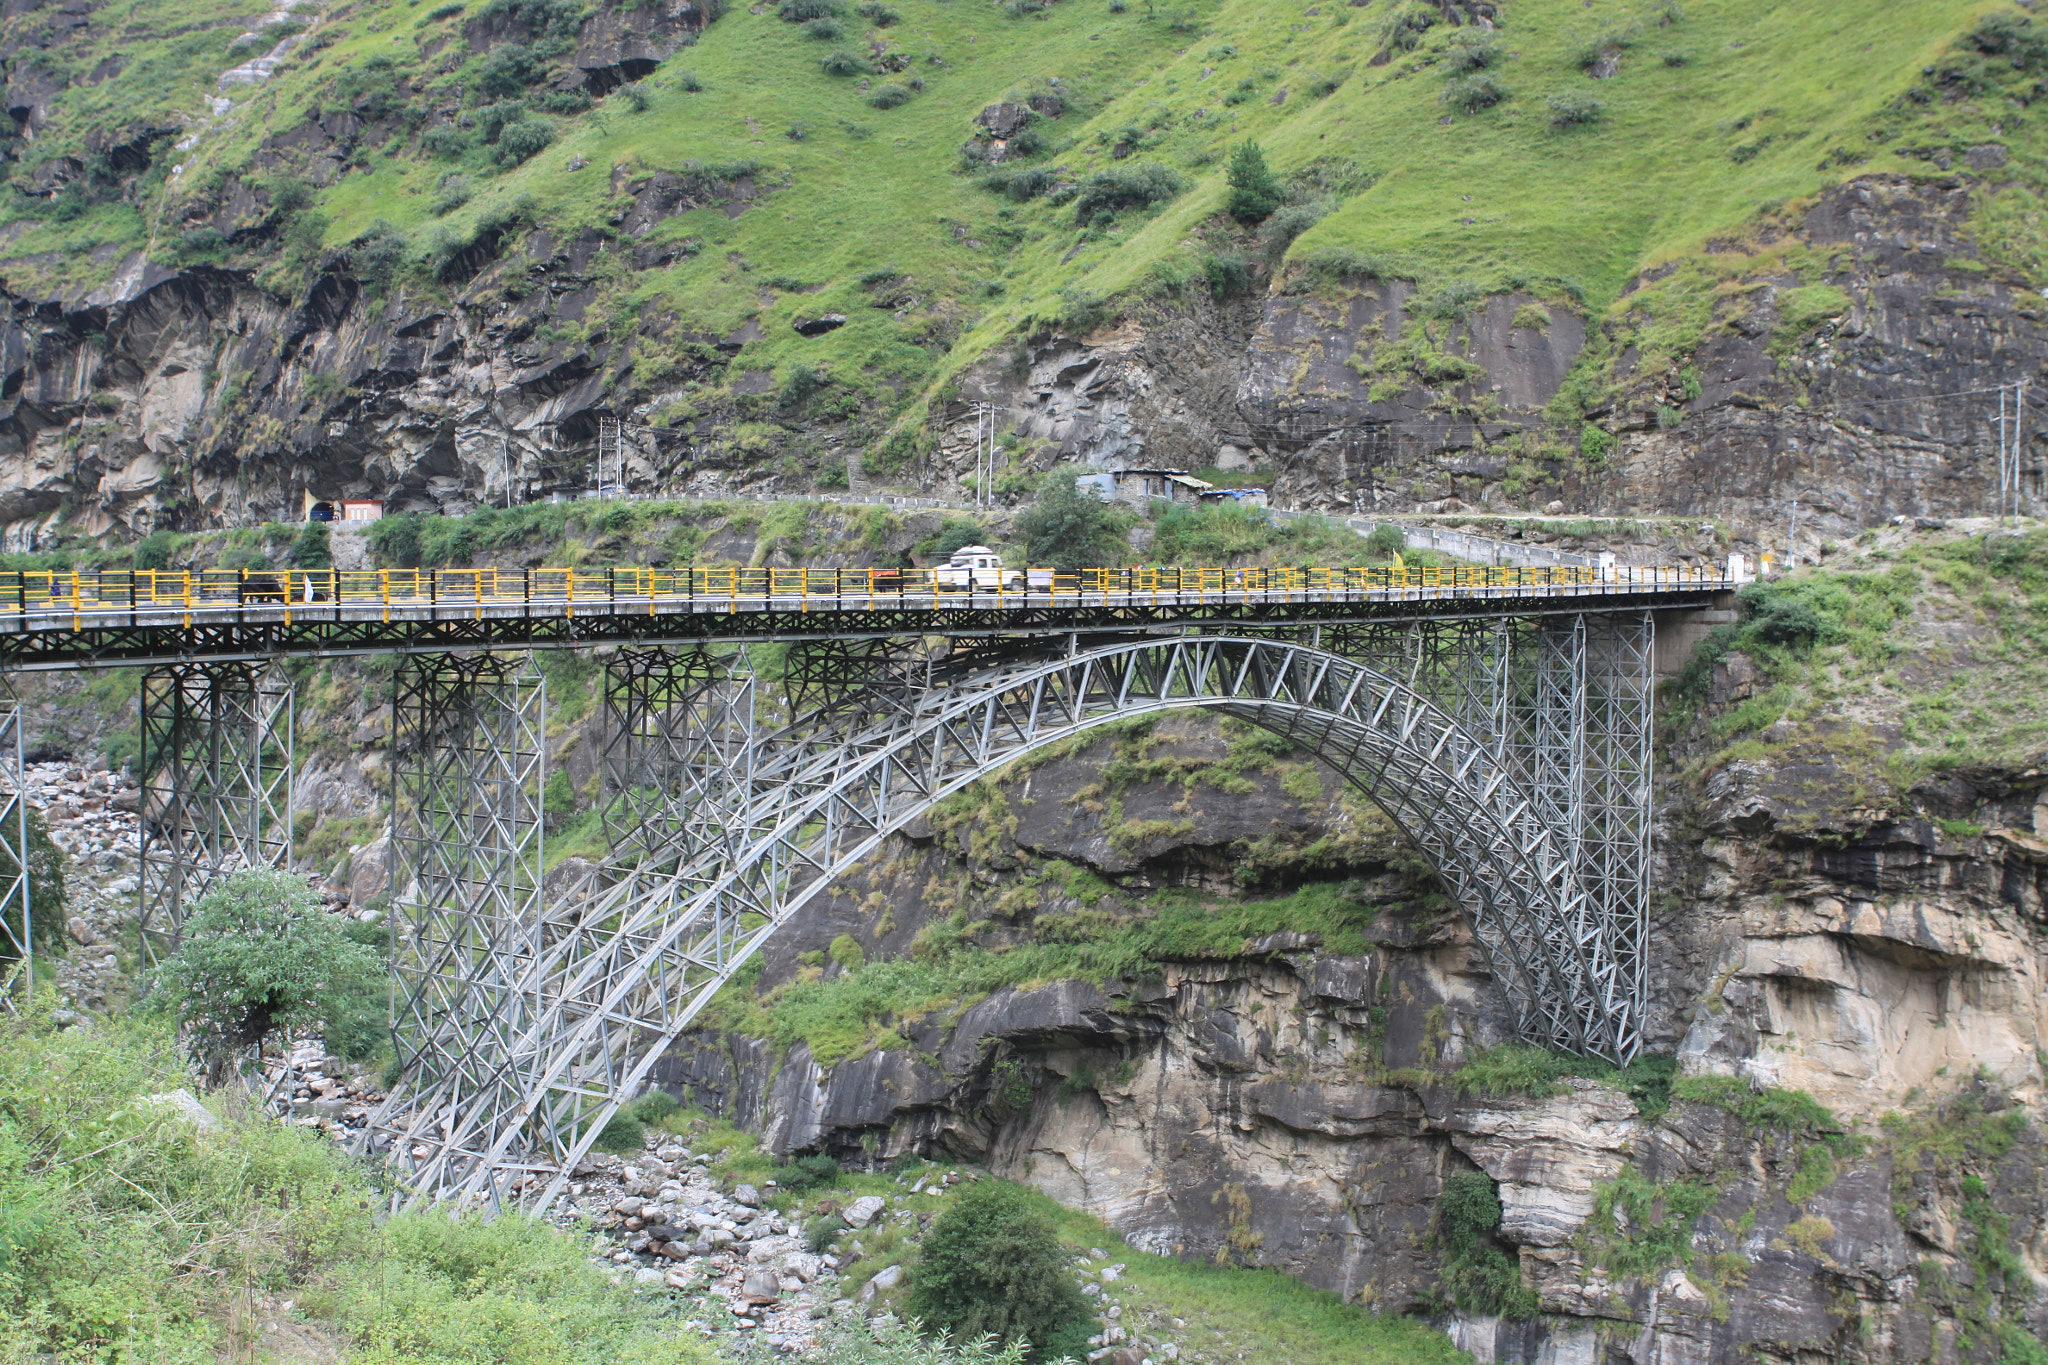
x: 218, y: 768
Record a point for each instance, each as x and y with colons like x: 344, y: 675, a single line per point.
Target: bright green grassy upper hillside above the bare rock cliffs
x: 1410, y: 146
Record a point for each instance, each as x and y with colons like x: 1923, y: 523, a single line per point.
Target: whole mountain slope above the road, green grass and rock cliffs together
x: 1527, y: 253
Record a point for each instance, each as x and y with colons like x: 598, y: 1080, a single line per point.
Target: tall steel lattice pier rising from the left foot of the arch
x: 470, y: 775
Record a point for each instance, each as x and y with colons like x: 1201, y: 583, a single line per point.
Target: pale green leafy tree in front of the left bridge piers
x: 257, y: 955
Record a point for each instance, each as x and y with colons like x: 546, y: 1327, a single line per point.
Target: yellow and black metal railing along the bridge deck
x: 187, y: 590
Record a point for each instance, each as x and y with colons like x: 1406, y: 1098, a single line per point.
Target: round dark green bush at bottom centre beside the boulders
x: 992, y: 1268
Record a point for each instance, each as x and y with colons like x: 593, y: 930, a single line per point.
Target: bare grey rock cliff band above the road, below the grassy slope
x: 198, y: 398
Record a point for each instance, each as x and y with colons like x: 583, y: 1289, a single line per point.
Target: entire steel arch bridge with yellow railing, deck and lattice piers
x: 1500, y: 717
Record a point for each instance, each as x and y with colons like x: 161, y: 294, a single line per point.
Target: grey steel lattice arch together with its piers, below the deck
x: 1512, y: 750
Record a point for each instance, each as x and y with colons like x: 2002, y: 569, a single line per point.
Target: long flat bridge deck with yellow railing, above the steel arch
x: 60, y: 621
